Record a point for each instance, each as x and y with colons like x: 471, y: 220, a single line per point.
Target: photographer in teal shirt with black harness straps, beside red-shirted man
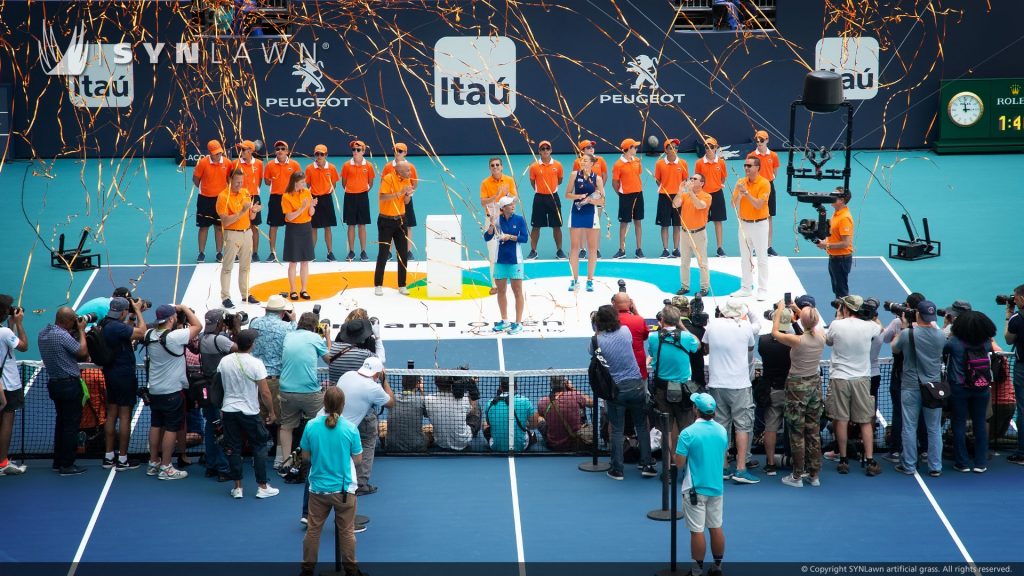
x: 670, y: 350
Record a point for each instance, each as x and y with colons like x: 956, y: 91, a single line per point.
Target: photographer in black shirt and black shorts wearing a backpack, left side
x: 121, y: 332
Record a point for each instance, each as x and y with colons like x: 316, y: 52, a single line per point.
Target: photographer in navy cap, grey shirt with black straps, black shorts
x: 165, y: 349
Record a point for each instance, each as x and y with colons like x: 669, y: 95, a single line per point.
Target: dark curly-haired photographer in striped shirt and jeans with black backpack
x: 616, y: 344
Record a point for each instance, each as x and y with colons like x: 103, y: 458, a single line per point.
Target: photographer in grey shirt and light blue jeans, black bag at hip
x: 921, y: 345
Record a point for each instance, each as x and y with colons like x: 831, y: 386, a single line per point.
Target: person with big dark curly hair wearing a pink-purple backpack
x: 971, y: 332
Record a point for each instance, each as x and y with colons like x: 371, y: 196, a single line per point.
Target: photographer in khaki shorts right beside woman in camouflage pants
x: 850, y: 380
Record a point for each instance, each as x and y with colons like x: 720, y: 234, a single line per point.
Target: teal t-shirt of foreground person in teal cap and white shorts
x: 704, y: 443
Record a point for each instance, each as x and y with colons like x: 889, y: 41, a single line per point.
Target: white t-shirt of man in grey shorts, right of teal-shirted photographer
x: 730, y: 342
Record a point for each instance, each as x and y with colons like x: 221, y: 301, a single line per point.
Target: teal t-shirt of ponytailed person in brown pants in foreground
x: 332, y: 451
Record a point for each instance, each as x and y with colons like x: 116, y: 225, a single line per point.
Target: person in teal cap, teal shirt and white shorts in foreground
x: 701, y: 457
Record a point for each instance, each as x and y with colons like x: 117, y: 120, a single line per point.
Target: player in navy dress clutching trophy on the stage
x: 586, y: 191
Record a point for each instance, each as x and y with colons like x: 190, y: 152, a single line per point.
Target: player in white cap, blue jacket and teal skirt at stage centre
x: 511, y: 231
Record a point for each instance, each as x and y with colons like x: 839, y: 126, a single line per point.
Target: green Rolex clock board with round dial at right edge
x: 982, y: 115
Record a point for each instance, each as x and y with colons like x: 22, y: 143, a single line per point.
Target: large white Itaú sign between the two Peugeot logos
x: 475, y: 77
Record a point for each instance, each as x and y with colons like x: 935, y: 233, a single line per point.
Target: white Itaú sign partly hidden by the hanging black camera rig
x: 857, y: 60
